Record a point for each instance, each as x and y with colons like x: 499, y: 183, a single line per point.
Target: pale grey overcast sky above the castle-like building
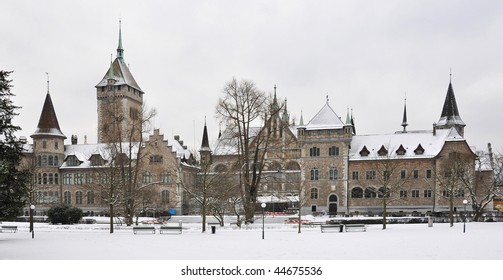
x: 365, y: 55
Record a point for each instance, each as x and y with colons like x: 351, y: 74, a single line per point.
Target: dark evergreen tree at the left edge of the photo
x: 12, y: 181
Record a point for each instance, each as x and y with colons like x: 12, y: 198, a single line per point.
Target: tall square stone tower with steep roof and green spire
x: 120, y: 102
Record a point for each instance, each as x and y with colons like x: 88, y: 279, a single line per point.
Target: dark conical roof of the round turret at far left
x: 48, y: 124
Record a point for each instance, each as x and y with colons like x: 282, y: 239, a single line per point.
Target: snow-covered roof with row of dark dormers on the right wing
x: 416, y: 144
